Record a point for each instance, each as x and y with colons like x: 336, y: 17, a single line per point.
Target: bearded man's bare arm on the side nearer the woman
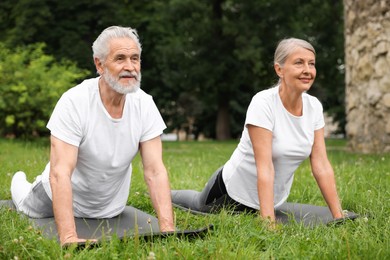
x: 156, y: 178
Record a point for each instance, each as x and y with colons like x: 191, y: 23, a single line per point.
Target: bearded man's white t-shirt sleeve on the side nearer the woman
x: 153, y: 123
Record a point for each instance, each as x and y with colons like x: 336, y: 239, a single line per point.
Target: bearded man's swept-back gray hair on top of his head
x: 100, y: 45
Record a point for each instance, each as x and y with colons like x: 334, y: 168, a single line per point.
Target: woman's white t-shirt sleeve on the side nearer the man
x: 259, y: 113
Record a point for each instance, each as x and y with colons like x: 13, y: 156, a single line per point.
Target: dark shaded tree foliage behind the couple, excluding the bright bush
x: 218, y: 52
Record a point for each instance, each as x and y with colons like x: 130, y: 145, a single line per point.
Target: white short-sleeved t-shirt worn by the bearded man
x: 107, y: 146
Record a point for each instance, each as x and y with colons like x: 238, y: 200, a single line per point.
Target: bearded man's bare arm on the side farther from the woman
x: 63, y: 158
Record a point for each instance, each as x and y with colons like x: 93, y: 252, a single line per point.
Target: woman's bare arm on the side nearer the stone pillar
x: 324, y: 175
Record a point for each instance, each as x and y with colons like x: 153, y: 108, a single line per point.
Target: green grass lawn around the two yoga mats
x: 363, y: 184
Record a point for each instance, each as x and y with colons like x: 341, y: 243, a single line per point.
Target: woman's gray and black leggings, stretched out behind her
x: 211, y: 199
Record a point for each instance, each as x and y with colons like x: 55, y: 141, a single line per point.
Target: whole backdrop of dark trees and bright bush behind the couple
x: 202, y: 61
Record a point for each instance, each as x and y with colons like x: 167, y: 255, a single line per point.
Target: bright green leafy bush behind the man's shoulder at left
x: 30, y: 85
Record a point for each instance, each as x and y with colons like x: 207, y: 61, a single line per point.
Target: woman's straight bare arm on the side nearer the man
x: 261, y: 139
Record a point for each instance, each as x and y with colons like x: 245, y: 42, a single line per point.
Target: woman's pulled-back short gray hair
x: 287, y: 46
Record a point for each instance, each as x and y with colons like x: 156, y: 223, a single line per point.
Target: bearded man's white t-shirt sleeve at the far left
x: 65, y: 122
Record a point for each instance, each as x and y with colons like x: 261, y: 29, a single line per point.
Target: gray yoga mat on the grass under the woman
x: 306, y: 214
